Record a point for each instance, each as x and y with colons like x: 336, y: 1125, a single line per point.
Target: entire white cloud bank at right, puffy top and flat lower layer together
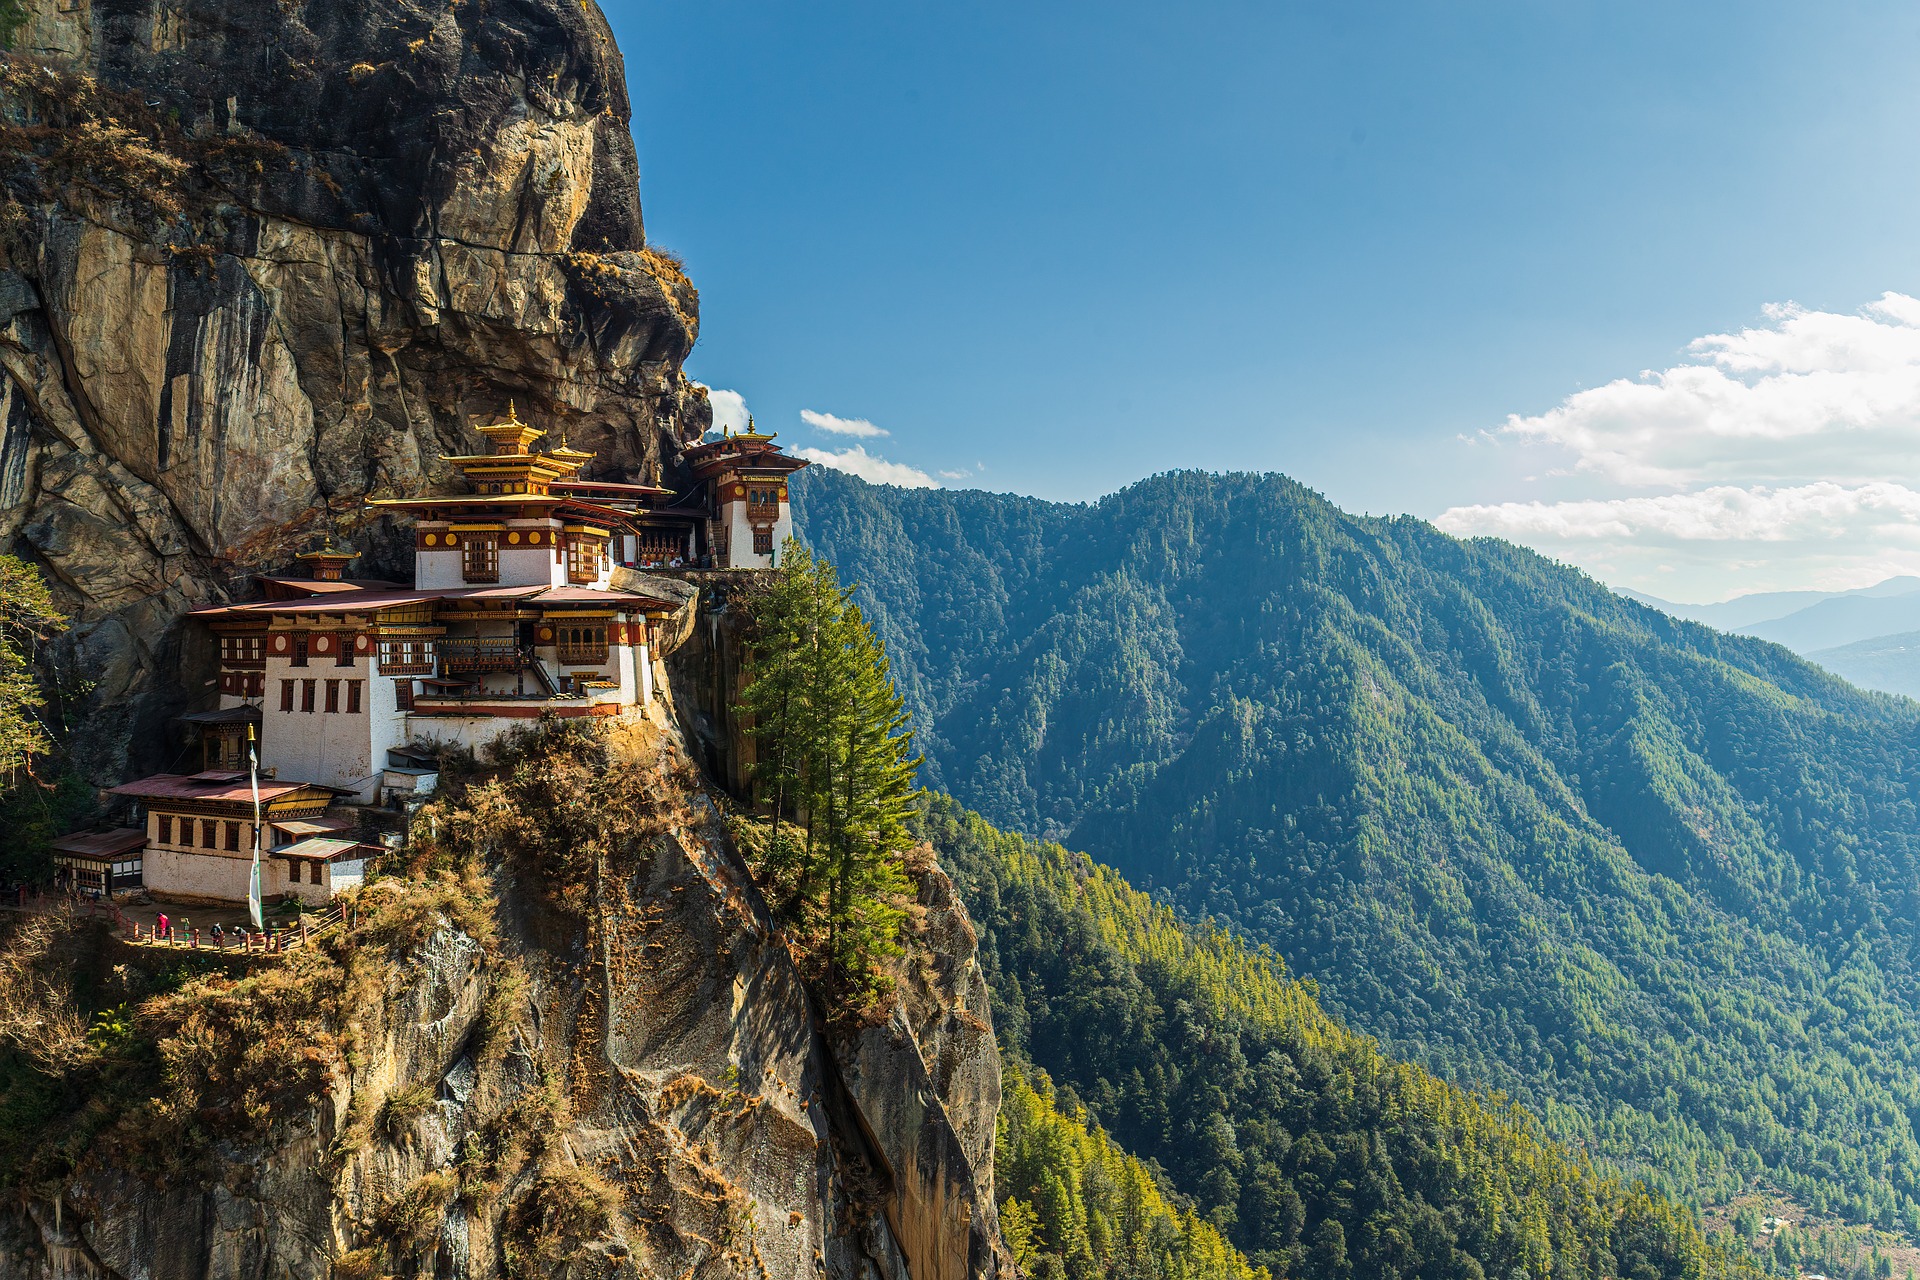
x: 1779, y: 456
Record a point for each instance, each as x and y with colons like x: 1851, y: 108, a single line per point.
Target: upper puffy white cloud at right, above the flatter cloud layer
x: 1810, y: 396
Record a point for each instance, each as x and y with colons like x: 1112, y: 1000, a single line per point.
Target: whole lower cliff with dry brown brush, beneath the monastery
x: 562, y: 1043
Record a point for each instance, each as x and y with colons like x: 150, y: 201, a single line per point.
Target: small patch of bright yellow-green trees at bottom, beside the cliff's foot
x: 1078, y: 1208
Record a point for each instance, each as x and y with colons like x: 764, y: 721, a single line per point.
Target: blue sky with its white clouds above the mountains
x: 1412, y: 254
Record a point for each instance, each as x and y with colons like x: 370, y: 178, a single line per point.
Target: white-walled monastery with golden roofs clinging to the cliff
x: 352, y: 686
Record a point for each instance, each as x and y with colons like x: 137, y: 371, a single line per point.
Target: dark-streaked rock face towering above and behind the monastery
x: 260, y: 262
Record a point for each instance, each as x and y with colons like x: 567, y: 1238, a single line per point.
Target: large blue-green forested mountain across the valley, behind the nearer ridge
x: 1656, y: 882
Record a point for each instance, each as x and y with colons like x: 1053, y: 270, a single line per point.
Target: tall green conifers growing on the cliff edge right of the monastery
x: 832, y: 755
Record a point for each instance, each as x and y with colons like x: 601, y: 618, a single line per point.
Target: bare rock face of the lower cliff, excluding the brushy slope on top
x: 692, y: 1112
